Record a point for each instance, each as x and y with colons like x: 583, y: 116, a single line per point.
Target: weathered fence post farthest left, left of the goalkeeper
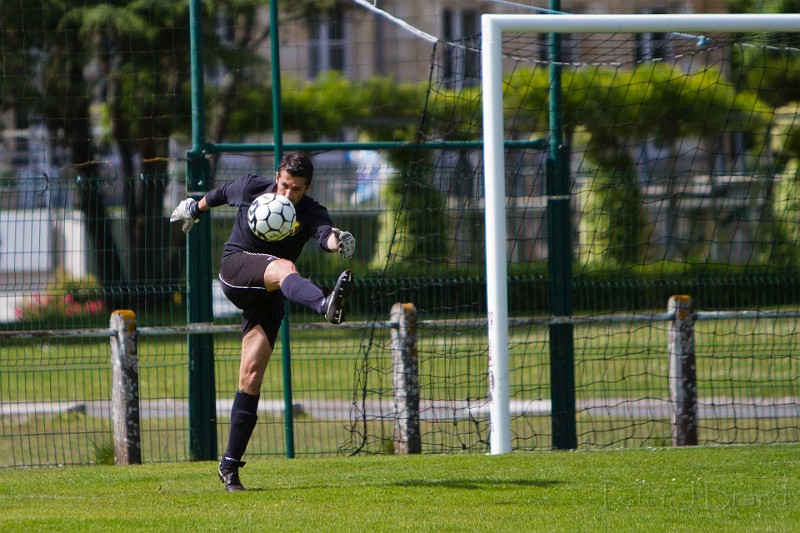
x: 125, y: 389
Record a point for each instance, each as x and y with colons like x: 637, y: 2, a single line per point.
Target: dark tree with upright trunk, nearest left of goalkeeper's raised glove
x: 144, y: 88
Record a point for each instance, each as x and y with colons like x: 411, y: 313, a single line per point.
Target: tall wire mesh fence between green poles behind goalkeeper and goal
x: 684, y: 182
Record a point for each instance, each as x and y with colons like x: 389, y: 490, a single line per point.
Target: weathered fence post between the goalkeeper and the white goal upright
x: 405, y: 377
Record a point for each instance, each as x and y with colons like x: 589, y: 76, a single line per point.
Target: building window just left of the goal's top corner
x: 461, y: 29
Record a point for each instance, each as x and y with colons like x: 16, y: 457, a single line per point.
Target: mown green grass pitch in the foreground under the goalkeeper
x: 699, y: 489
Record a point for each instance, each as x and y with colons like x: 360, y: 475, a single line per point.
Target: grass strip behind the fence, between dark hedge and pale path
x: 759, y: 356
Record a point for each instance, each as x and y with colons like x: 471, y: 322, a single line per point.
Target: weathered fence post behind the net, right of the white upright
x: 682, y: 371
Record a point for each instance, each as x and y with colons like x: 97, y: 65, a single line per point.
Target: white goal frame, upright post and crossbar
x: 492, y: 28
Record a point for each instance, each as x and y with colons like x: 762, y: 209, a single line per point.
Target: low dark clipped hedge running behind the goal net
x: 596, y: 292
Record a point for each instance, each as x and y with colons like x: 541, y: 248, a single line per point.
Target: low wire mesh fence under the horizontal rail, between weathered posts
x: 56, y: 387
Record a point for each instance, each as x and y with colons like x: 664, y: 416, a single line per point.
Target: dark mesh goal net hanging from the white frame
x: 679, y: 151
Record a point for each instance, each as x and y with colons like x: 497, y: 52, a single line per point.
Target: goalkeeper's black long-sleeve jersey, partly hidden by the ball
x: 312, y: 217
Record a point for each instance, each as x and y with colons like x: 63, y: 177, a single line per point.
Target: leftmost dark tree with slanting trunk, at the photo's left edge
x: 44, y: 46
